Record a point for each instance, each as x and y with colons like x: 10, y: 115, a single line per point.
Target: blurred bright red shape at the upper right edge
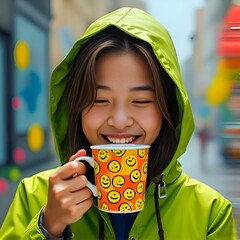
x: 228, y: 44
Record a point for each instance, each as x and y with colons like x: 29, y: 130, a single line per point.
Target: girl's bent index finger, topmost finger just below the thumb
x: 68, y: 170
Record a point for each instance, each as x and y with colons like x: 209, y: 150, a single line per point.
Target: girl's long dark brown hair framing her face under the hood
x: 81, y: 93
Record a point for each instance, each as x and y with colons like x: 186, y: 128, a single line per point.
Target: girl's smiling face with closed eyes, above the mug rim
x: 125, y: 108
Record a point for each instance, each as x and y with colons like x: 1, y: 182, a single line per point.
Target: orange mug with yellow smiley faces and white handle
x: 120, y: 175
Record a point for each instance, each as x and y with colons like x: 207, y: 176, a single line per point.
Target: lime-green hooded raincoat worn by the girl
x: 190, y: 210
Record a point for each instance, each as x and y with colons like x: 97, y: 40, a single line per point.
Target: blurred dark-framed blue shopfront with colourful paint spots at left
x: 24, y: 82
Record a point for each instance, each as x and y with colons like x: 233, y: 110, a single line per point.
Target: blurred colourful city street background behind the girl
x: 36, y: 35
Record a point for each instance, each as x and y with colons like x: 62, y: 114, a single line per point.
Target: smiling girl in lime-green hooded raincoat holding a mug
x: 120, y: 83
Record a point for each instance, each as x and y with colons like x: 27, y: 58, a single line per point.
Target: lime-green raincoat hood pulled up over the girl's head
x: 138, y: 24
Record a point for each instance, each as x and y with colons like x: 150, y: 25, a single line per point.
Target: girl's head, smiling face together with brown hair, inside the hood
x: 118, y: 92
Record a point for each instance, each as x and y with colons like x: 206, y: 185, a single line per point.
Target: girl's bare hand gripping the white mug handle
x: 68, y: 196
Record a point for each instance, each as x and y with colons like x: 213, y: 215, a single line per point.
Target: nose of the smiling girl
x: 120, y: 117
